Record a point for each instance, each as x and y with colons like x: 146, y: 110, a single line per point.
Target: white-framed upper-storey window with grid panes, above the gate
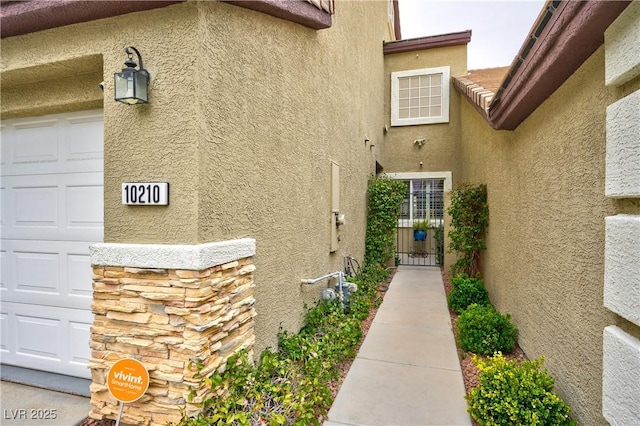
x: 420, y: 96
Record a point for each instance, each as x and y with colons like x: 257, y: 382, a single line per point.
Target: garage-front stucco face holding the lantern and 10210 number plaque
x: 153, y: 142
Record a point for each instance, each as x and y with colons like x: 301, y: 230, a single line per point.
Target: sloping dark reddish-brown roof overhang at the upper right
x: 564, y: 36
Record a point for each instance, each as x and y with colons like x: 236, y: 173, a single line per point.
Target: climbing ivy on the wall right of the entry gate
x: 469, y: 213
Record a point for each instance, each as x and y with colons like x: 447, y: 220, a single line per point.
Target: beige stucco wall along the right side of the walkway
x: 544, y: 262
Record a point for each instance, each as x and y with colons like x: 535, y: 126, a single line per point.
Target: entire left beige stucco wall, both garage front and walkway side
x: 246, y: 113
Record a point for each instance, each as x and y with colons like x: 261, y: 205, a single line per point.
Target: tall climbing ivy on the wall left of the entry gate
x: 385, y: 200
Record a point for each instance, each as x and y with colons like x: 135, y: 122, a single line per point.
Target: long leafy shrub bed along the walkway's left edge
x: 290, y: 386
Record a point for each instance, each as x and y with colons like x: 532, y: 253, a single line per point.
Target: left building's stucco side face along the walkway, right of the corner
x: 295, y: 101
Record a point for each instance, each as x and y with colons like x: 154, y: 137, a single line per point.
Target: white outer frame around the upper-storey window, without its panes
x: 395, y: 89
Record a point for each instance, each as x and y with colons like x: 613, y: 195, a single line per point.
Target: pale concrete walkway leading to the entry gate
x: 407, y: 371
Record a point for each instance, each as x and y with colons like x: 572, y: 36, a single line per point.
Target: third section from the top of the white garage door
x: 55, y: 273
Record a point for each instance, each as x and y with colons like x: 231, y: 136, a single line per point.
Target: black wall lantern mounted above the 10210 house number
x: 131, y: 84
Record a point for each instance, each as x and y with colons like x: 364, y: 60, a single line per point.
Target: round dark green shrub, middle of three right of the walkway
x: 483, y: 330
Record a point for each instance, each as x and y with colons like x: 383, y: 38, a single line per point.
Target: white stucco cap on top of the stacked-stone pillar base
x: 165, y: 256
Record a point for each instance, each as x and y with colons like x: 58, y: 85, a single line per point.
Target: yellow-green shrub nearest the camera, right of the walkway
x: 512, y: 394
